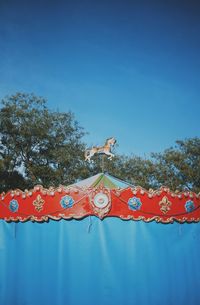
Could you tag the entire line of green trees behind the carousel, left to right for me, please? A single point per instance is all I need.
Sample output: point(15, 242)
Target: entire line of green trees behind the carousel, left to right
point(40, 146)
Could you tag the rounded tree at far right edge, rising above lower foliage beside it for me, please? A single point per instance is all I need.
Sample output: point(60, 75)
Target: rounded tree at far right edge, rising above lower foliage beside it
point(179, 167)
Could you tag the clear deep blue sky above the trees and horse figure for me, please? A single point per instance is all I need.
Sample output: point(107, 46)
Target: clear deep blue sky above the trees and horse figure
point(129, 69)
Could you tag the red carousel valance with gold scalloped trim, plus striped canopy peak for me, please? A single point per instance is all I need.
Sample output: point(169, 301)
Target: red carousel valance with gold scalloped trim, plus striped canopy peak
point(103, 196)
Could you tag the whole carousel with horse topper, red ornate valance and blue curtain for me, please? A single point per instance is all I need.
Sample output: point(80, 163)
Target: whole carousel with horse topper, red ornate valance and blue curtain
point(99, 241)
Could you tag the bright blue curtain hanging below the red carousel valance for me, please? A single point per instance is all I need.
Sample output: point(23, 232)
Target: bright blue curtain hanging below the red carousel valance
point(94, 262)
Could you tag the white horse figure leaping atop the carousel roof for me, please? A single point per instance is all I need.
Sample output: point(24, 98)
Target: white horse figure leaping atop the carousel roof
point(106, 149)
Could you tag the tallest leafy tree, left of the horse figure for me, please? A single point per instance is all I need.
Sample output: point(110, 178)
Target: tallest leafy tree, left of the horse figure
point(38, 145)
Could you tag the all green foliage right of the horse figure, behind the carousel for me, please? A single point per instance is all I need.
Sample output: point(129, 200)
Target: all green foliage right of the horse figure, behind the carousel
point(177, 168)
